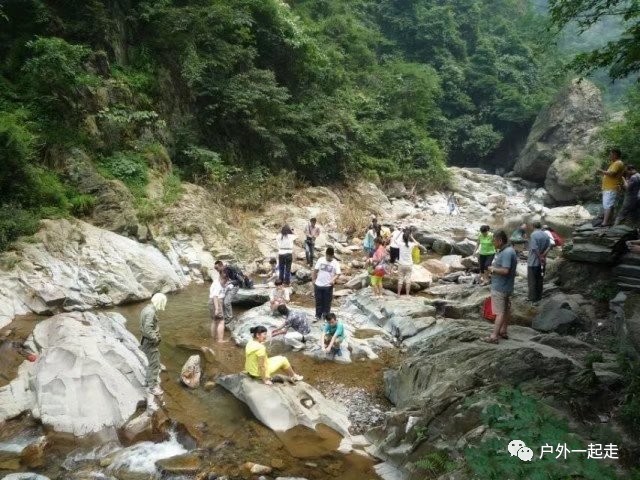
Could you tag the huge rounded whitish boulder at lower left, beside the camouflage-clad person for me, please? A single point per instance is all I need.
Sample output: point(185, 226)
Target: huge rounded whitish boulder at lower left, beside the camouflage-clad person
point(89, 376)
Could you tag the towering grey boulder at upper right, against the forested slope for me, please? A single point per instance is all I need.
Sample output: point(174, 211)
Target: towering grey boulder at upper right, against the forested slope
point(568, 123)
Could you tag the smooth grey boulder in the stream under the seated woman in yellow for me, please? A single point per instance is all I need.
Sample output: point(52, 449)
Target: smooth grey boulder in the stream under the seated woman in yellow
point(282, 407)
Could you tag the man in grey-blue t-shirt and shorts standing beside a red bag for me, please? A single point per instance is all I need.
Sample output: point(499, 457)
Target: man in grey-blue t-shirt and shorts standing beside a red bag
point(503, 274)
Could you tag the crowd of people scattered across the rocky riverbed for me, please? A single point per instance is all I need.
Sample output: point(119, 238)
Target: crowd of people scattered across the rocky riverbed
point(386, 253)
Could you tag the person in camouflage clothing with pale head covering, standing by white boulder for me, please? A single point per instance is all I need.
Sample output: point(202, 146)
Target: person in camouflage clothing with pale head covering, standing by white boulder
point(149, 345)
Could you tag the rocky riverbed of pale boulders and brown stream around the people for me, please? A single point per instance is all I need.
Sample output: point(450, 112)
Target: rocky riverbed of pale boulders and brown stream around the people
point(411, 364)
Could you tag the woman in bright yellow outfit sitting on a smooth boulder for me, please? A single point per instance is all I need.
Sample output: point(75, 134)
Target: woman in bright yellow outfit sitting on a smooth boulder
point(258, 365)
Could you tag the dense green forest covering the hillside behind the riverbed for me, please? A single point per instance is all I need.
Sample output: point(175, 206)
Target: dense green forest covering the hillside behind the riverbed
point(246, 94)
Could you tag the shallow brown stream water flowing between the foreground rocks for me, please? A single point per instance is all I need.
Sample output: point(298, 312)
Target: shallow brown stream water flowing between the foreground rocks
point(223, 426)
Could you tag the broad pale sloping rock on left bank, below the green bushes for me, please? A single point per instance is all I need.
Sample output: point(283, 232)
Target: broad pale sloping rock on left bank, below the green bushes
point(75, 266)
